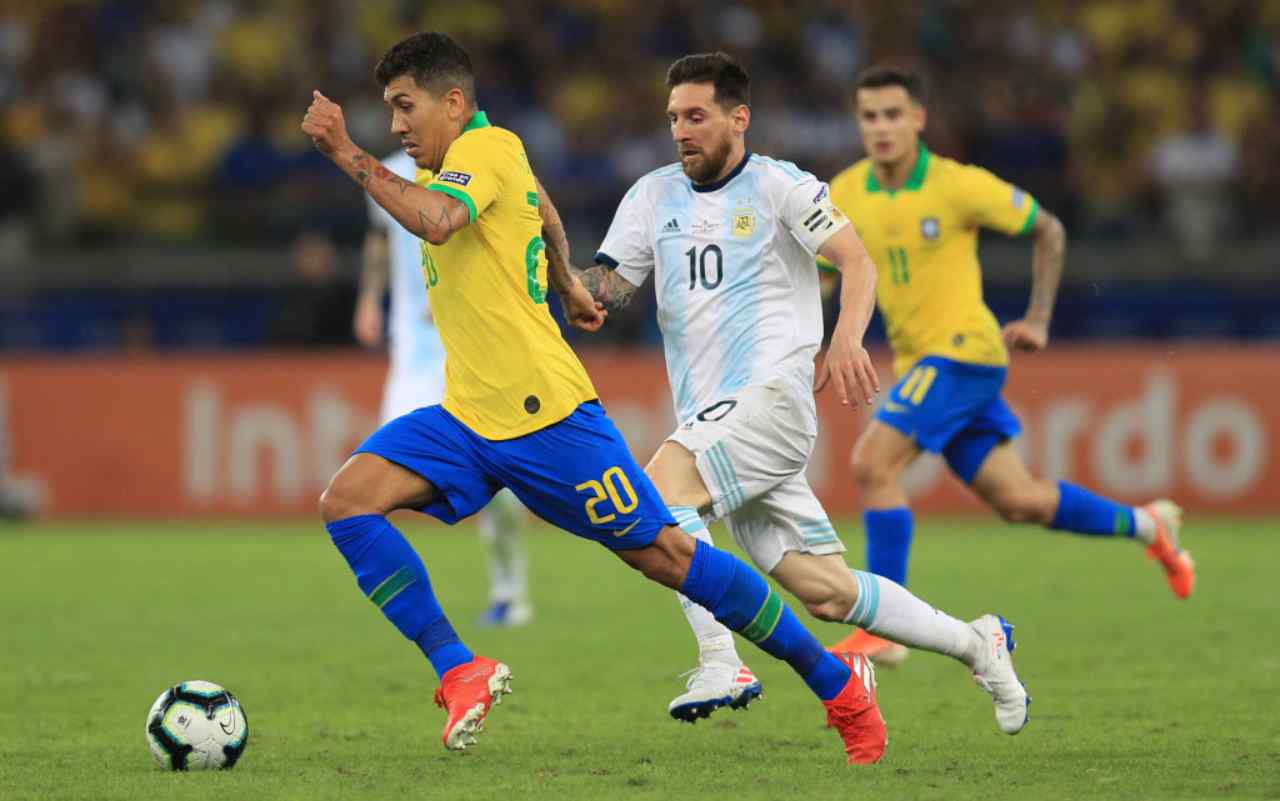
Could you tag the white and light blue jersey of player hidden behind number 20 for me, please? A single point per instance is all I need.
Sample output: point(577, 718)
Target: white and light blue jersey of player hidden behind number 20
point(415, 344)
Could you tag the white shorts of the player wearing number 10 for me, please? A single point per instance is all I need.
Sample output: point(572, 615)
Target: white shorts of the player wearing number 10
point(752, 450)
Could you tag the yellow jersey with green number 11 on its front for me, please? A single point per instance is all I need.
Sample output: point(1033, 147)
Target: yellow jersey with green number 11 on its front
point(925, 241)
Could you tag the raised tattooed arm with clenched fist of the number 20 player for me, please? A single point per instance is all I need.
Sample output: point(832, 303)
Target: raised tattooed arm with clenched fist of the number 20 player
point(431, 216)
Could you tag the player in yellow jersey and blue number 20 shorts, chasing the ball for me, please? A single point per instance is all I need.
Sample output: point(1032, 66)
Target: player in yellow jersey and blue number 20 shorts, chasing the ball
point(519, 410)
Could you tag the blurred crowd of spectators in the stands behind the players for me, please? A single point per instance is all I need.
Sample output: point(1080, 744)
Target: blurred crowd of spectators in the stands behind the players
point(158, 193)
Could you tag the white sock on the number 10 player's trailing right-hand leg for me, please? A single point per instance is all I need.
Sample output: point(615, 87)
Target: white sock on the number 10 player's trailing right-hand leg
point(886, 610)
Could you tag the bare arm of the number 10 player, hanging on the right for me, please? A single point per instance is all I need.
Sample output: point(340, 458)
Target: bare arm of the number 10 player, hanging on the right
point(848, 365)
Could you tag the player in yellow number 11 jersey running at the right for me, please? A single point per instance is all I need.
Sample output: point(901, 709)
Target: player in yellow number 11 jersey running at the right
point(920, 216)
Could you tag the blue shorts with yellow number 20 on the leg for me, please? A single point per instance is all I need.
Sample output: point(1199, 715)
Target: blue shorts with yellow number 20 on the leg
point(577, 474)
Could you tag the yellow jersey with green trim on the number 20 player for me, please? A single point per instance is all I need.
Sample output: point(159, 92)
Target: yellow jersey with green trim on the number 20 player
point(508, 369)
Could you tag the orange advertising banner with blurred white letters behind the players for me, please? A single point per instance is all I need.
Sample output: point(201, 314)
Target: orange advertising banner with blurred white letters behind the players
point(254, 436)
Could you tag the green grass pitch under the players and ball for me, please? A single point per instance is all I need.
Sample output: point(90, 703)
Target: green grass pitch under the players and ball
point(1136, 695)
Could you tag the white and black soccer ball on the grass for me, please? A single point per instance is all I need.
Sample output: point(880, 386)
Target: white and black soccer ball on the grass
point(196, 726)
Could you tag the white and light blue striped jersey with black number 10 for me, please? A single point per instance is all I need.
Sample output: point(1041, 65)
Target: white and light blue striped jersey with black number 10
point(734, 271)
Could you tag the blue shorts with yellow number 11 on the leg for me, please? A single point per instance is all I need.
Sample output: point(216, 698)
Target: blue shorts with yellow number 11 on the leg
point(953, 409)
